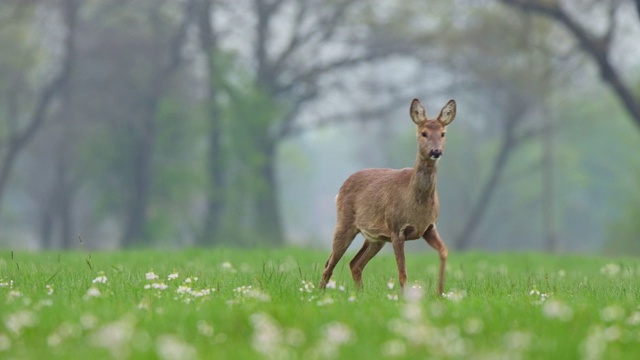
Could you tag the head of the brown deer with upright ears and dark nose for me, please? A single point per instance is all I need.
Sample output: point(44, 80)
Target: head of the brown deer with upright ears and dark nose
point(431, 132)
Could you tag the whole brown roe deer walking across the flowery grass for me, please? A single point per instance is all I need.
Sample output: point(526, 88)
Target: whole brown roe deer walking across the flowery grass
point(389, 205)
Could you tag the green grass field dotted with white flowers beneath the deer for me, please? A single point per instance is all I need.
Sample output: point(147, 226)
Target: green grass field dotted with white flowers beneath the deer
point(242, 304)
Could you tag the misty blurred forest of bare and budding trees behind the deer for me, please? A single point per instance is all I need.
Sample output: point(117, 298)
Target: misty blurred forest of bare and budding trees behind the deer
point(138, 123)
